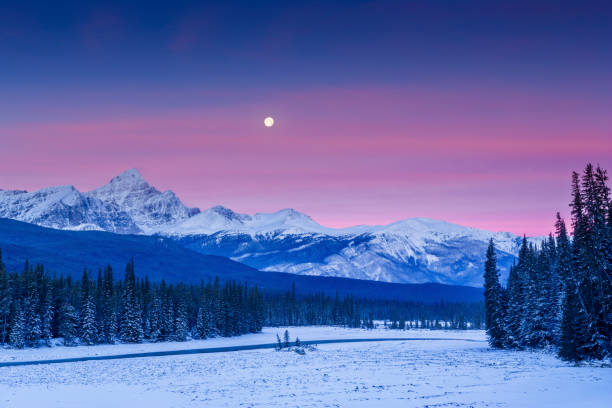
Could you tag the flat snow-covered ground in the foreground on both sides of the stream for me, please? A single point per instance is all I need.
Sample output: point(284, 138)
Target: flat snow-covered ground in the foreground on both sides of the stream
point(421, 373)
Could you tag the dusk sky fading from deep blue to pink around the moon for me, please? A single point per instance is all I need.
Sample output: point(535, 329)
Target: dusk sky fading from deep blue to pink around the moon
point(471, 112)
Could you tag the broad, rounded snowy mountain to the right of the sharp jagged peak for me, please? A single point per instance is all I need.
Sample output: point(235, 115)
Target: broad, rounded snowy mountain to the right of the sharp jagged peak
point(410, 251)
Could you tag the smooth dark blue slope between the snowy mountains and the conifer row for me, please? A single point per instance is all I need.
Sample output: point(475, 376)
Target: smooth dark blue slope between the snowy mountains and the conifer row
point(69, 252)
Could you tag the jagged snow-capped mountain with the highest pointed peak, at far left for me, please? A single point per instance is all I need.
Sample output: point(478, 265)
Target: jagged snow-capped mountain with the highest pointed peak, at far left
point(126, 205)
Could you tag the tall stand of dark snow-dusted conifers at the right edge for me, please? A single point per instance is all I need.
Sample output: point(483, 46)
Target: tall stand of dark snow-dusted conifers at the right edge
point(559, 294)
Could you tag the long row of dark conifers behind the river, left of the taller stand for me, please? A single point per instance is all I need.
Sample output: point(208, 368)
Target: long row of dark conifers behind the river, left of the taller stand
point(37, 306)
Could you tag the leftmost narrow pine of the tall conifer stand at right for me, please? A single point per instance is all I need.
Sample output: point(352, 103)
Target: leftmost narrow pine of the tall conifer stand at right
point(493, 300)
